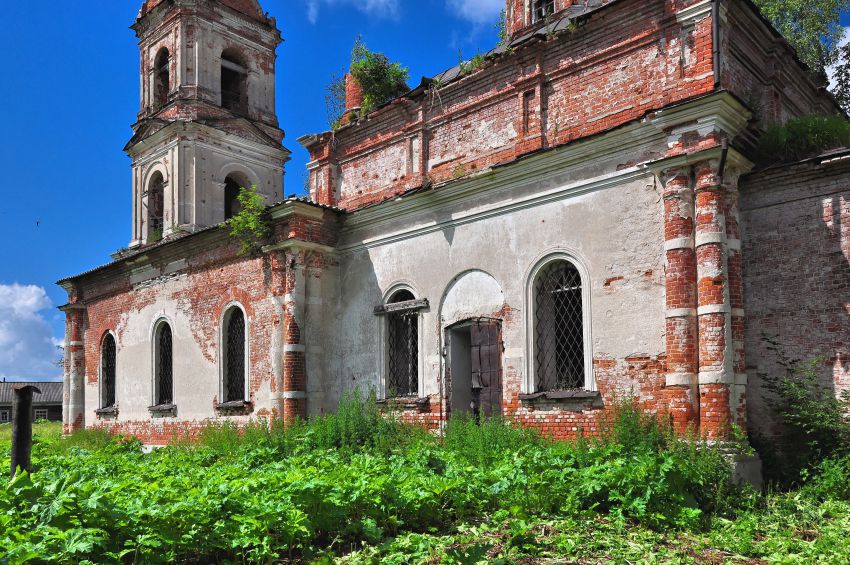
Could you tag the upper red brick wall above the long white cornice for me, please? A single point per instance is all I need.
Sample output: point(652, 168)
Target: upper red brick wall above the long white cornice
point(622, 62)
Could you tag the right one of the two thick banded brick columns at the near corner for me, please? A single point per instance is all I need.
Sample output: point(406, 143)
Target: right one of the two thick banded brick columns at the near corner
point(716, 371)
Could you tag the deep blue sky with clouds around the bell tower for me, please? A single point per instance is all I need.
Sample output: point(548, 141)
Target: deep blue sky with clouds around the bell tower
point(70, 90)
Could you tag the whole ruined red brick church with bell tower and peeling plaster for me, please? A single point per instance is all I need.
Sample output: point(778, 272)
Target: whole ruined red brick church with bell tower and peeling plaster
point(575, 220)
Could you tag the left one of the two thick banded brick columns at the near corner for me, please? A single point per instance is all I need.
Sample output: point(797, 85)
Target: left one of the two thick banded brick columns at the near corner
point(682, 394)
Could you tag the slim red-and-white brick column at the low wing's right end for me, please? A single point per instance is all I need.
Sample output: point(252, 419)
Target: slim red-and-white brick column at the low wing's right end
point(294, 350)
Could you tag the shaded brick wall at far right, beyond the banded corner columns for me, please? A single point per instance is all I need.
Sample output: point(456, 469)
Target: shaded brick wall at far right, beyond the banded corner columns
point(796, 249)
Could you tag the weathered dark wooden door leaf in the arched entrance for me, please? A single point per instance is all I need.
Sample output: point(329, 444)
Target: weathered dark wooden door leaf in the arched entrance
point(486, 338)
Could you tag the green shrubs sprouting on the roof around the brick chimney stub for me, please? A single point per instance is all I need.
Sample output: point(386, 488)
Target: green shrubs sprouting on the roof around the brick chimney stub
point(380, 79)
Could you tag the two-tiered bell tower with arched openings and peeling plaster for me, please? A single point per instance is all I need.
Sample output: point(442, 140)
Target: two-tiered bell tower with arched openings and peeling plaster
point(207, 125)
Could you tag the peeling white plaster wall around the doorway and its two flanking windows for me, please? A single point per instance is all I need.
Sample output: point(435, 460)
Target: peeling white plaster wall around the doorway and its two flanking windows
point(615, 232)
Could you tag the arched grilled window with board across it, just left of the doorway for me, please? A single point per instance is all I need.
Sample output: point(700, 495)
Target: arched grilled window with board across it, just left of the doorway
point(403, 348)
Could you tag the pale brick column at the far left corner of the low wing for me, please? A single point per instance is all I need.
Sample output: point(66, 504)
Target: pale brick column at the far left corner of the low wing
point(74, 395)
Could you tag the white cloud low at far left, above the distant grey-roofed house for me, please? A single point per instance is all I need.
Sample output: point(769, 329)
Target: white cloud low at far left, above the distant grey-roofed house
point(27, 345)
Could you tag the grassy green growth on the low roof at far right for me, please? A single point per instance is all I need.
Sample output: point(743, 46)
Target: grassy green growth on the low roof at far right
point(800, 138)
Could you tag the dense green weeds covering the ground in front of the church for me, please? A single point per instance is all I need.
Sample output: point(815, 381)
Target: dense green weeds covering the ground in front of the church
point(355, 487)
